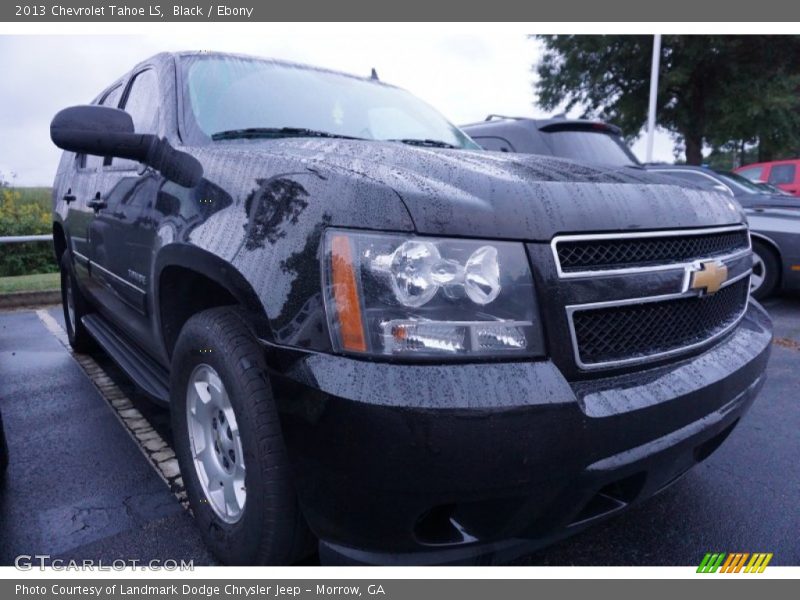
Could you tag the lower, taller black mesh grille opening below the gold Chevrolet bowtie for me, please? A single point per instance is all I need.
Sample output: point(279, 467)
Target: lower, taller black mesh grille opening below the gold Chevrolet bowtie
point(639, 331)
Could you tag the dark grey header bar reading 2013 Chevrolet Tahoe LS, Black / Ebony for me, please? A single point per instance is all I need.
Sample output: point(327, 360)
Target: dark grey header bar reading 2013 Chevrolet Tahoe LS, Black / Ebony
point(708, 11)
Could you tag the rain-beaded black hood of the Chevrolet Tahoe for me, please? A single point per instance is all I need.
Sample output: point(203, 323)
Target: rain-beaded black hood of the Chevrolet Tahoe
point(512, 196)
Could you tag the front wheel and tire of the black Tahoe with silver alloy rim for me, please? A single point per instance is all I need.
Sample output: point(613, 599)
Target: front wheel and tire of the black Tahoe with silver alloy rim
point(261, 522)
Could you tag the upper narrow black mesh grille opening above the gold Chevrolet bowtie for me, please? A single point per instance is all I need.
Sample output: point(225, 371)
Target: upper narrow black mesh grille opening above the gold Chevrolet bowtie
point(601, 253)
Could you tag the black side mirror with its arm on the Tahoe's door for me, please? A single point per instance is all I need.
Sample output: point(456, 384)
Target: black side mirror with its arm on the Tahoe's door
point(105, 131)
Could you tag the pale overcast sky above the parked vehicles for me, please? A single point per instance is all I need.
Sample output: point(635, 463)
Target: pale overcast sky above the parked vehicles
point(464, 73)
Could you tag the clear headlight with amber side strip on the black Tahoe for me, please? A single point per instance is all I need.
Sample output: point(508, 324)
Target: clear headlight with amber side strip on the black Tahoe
point(417, 296)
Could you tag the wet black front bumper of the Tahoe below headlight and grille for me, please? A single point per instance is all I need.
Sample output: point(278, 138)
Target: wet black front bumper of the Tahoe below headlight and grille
point(439, 464)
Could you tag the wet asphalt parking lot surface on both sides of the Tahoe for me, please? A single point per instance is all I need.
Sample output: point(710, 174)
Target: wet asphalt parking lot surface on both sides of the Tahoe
point(81, 486)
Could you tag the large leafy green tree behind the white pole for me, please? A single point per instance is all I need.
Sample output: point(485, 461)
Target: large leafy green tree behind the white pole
point(714, 90)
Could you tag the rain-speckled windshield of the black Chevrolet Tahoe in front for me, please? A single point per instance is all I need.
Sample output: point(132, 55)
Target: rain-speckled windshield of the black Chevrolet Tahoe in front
point(226, 94)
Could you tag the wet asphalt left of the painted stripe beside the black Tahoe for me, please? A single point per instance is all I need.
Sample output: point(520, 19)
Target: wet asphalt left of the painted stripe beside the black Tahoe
point(78, 486)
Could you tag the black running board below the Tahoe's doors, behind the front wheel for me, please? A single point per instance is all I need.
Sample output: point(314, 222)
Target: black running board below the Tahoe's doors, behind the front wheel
point(152, 378)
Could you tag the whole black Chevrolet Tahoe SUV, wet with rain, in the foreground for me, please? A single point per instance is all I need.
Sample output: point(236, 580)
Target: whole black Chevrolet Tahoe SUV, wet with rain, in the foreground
point(379, 340)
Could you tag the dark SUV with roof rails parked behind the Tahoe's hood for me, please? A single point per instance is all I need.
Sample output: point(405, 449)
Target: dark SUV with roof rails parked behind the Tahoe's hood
point(576, 139)
